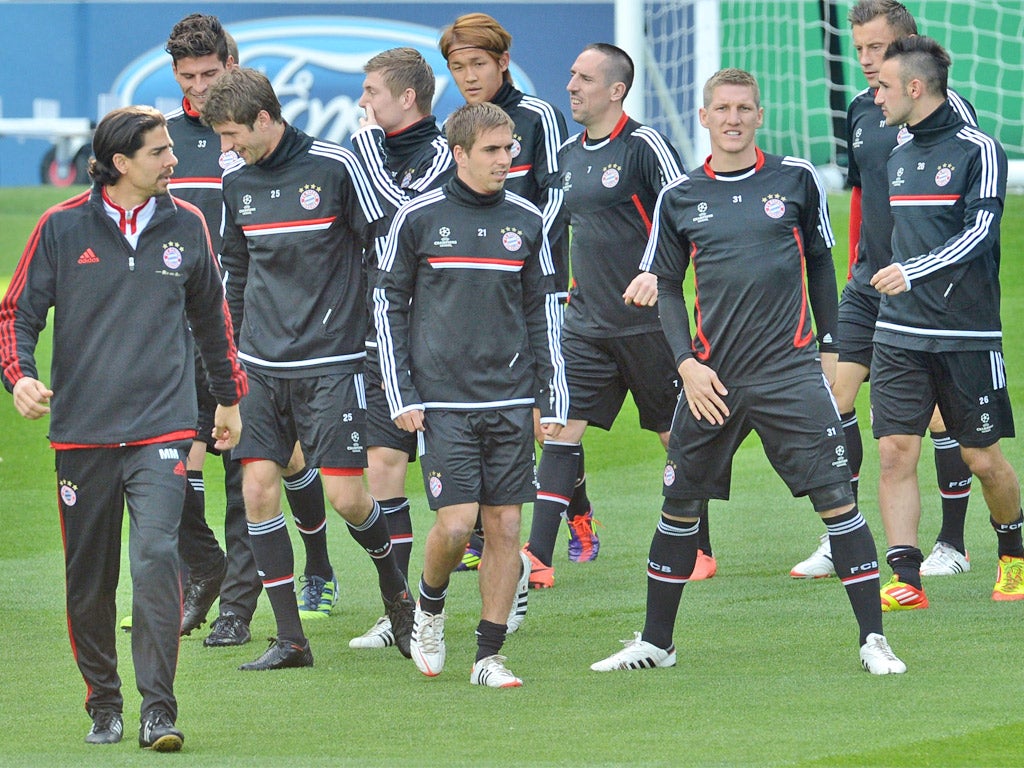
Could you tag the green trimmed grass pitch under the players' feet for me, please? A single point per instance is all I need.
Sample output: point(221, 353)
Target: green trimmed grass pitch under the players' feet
point(769, 672)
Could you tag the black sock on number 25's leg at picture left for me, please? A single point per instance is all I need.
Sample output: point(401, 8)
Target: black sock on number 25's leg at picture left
point(275, 559)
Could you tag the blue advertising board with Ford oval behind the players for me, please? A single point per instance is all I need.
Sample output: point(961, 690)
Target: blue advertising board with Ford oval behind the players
point(86, 58)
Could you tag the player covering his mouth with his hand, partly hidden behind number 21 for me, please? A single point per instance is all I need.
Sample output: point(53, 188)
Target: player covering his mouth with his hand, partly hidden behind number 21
point(405, 155)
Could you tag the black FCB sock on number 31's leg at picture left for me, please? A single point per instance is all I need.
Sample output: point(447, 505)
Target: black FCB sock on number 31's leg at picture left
point(673, 556)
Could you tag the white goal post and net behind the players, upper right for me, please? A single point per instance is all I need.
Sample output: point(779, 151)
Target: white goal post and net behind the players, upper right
point(803, 58)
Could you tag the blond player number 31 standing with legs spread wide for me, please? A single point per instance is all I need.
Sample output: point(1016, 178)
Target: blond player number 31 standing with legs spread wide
point(752, 227)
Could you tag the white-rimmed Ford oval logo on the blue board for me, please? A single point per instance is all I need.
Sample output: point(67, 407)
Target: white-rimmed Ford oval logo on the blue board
point(315, 65)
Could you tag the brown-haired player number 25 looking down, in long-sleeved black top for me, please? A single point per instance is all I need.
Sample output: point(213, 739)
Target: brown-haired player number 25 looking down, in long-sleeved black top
point(300, 214)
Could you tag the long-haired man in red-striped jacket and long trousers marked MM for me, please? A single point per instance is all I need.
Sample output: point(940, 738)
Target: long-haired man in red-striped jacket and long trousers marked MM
point(123, 265)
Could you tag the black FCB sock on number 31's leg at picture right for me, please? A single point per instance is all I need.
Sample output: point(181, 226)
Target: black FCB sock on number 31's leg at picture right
point(857, 564)
